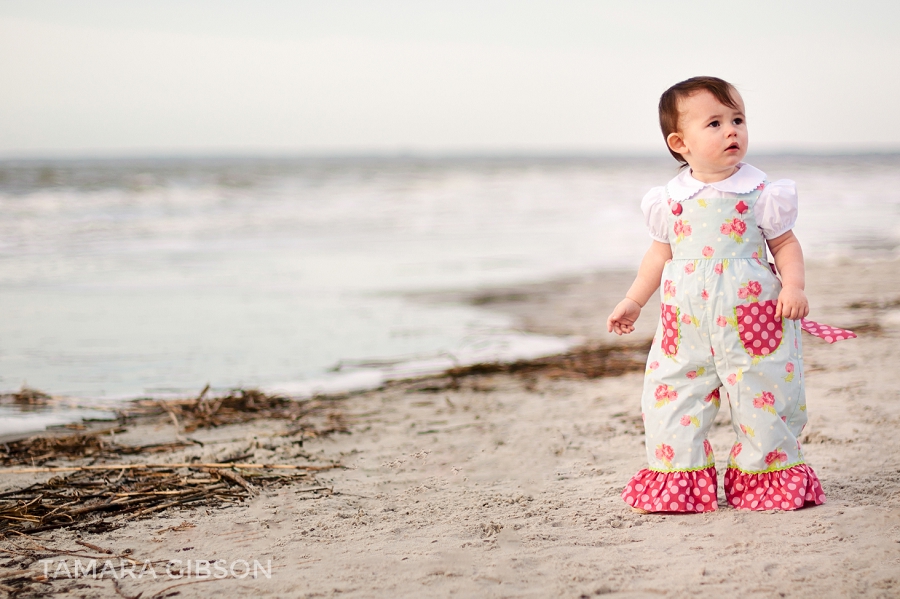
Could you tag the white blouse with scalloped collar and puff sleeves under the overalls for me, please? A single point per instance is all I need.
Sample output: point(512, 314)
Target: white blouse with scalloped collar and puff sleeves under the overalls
point(775, 210)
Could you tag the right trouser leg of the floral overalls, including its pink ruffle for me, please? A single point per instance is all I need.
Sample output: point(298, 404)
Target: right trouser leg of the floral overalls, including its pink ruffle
point(766, 469)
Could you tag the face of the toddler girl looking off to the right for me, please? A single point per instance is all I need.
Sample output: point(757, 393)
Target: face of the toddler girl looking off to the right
point(712, 137)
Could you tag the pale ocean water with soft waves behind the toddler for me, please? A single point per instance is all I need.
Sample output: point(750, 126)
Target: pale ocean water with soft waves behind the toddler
point(126, 278)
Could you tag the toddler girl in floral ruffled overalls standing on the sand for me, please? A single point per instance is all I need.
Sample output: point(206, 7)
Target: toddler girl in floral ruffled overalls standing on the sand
point(727, 323)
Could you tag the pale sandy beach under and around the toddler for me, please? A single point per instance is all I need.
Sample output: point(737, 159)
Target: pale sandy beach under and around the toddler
point(507, 484)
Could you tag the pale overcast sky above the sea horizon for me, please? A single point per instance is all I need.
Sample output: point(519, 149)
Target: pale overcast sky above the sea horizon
point(83, 77)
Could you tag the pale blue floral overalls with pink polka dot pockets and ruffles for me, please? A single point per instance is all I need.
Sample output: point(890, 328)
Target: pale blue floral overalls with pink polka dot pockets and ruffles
point(718, 339)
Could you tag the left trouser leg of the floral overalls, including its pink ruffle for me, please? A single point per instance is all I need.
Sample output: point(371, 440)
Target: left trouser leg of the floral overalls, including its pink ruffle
point(679, 404)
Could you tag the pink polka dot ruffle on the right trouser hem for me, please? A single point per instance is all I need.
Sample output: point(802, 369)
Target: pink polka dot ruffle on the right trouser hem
point(788, 489)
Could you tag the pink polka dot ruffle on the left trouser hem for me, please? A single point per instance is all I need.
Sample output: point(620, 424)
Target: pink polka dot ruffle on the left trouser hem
point(693, 491)
